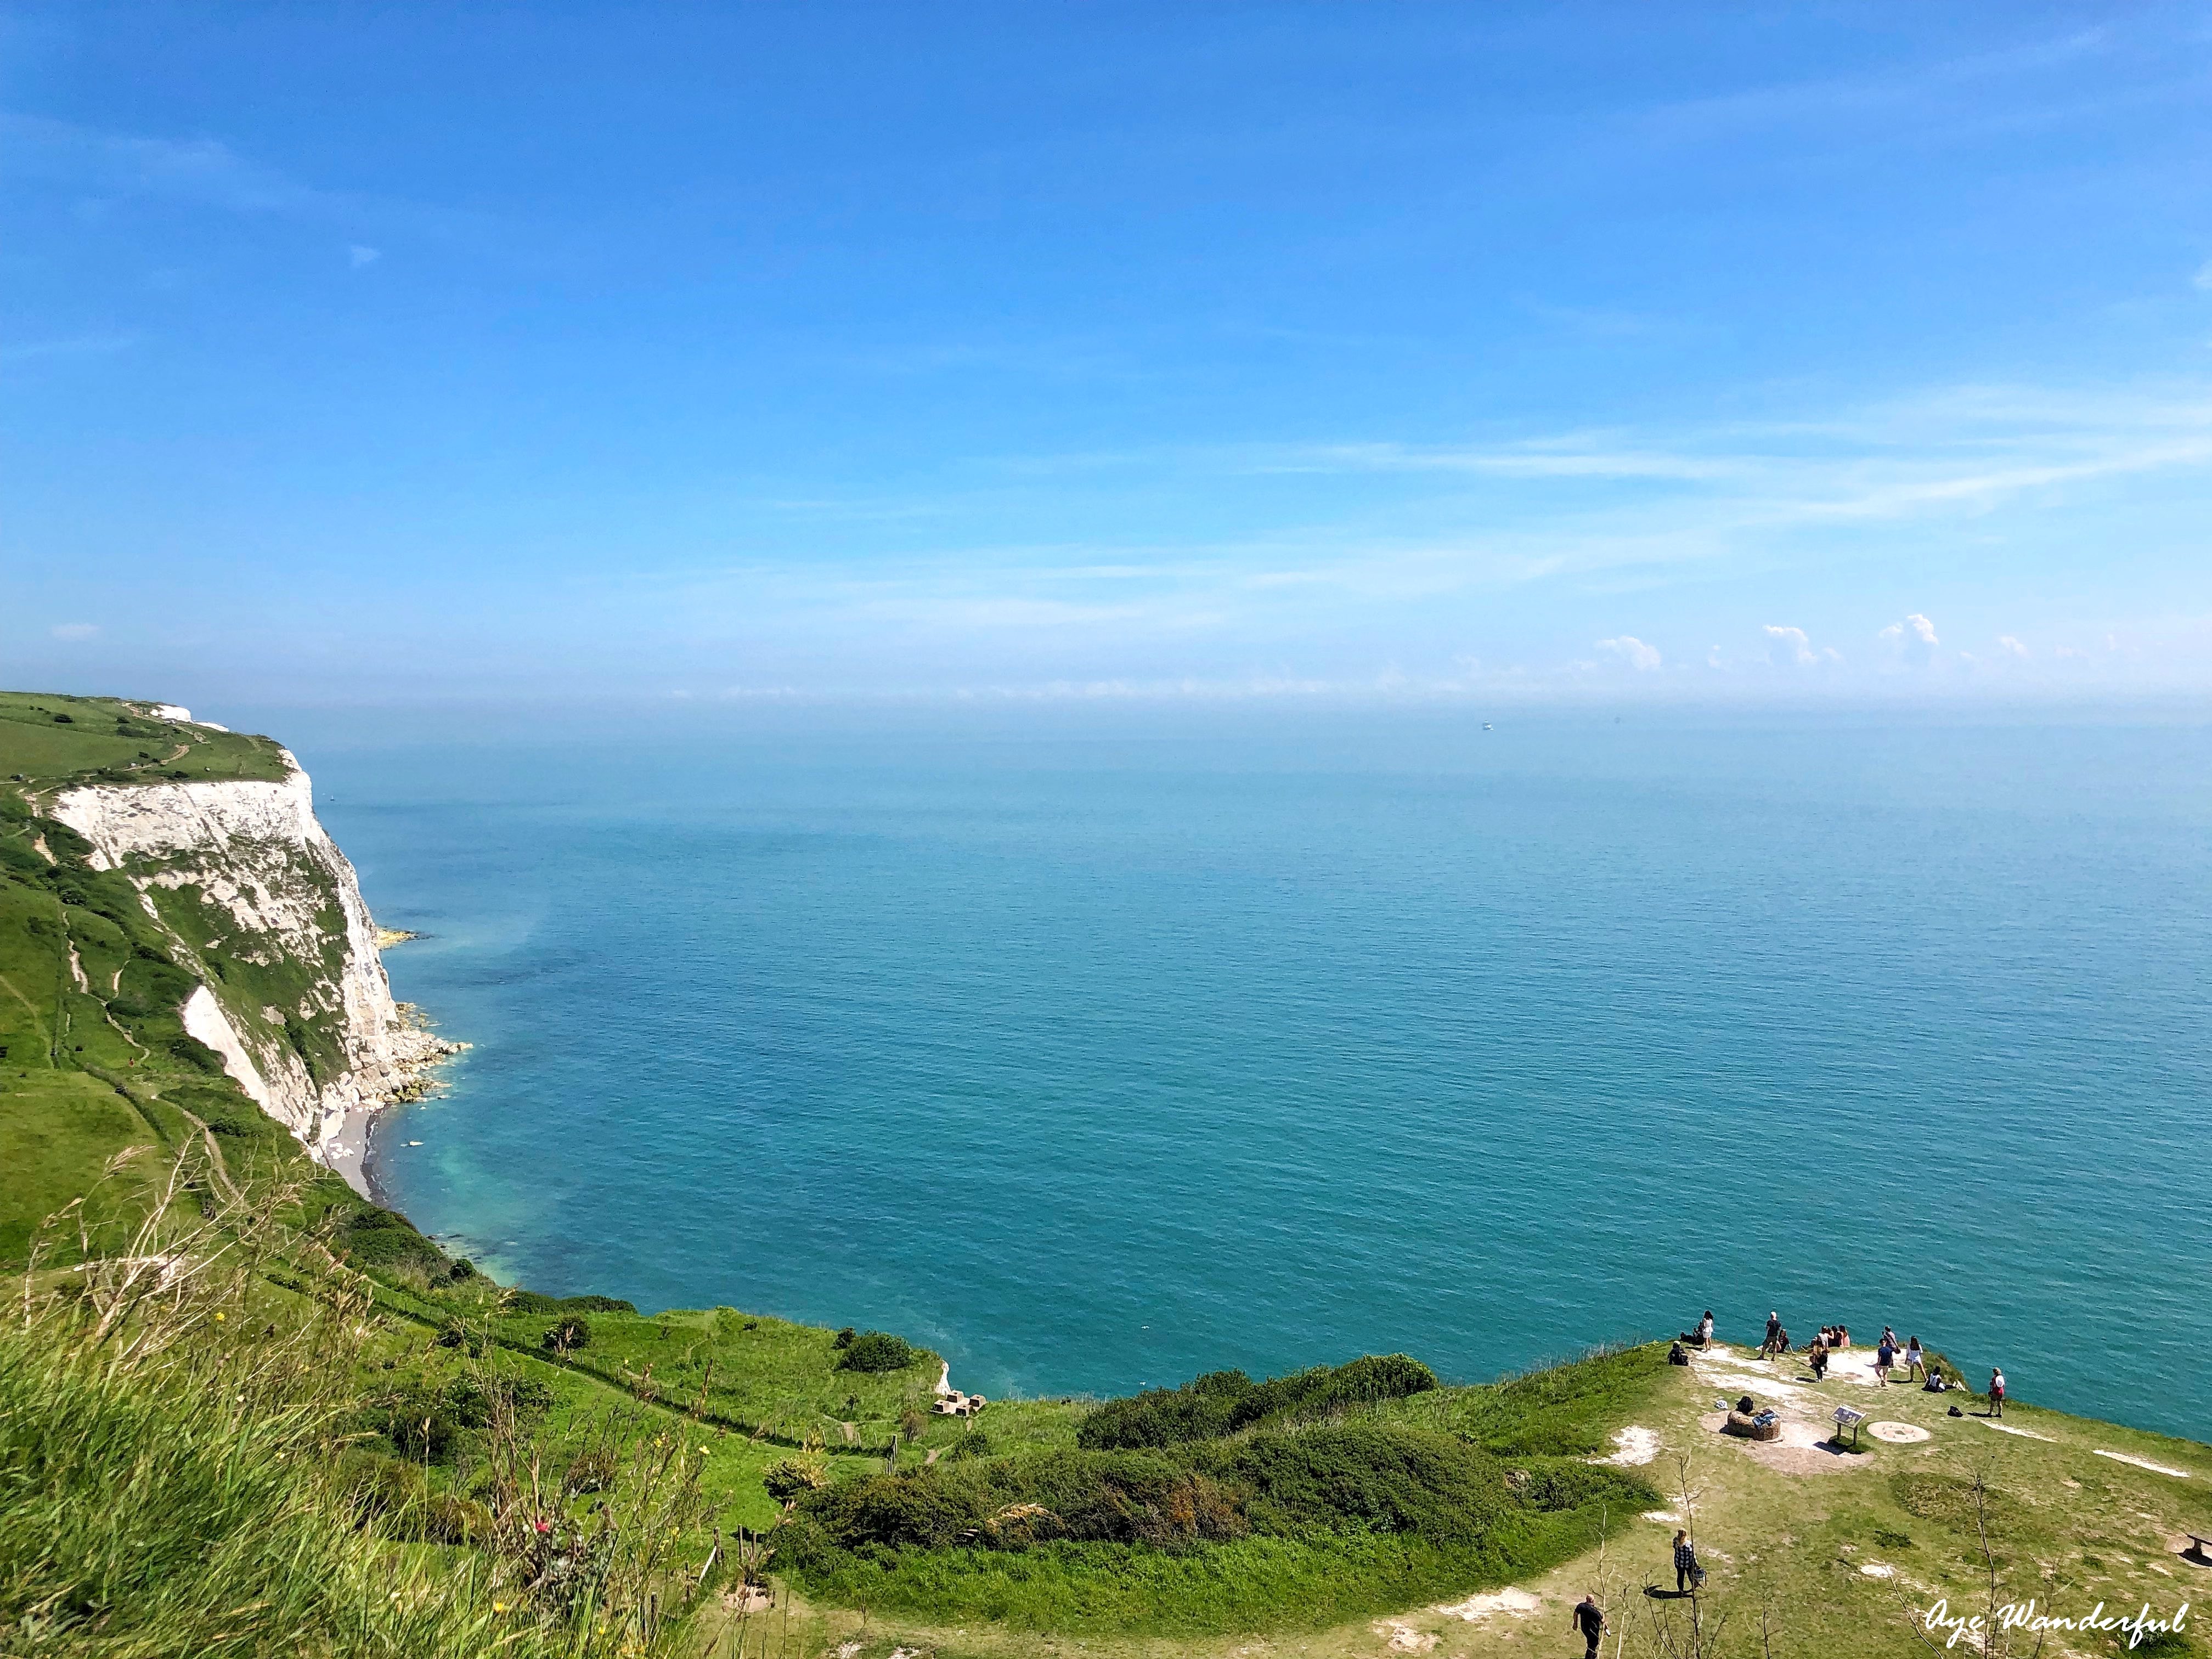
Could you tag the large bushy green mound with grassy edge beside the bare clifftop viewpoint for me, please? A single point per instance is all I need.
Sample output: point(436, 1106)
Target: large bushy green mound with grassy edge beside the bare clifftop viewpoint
point(1220, 1534)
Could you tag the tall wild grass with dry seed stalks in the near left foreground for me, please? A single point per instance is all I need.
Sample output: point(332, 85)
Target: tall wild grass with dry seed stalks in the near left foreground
point(174, 1474)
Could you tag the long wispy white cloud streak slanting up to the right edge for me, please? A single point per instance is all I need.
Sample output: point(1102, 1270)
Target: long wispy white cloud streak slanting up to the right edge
point(1576, 514)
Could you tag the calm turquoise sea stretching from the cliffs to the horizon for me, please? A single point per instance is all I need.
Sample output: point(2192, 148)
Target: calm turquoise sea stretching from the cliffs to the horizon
point(1103, 1056)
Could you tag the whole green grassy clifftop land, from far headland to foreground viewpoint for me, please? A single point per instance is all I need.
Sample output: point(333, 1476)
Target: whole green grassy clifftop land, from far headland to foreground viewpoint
point(244, 1412)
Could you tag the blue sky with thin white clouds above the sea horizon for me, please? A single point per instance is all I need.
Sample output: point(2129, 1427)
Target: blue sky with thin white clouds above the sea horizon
point(1107, 353)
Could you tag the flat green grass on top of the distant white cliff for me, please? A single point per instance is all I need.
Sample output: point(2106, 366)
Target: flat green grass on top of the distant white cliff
point(52, 740)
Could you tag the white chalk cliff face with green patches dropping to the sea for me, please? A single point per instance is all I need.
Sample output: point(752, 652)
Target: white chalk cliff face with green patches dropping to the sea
point(267, 908)
